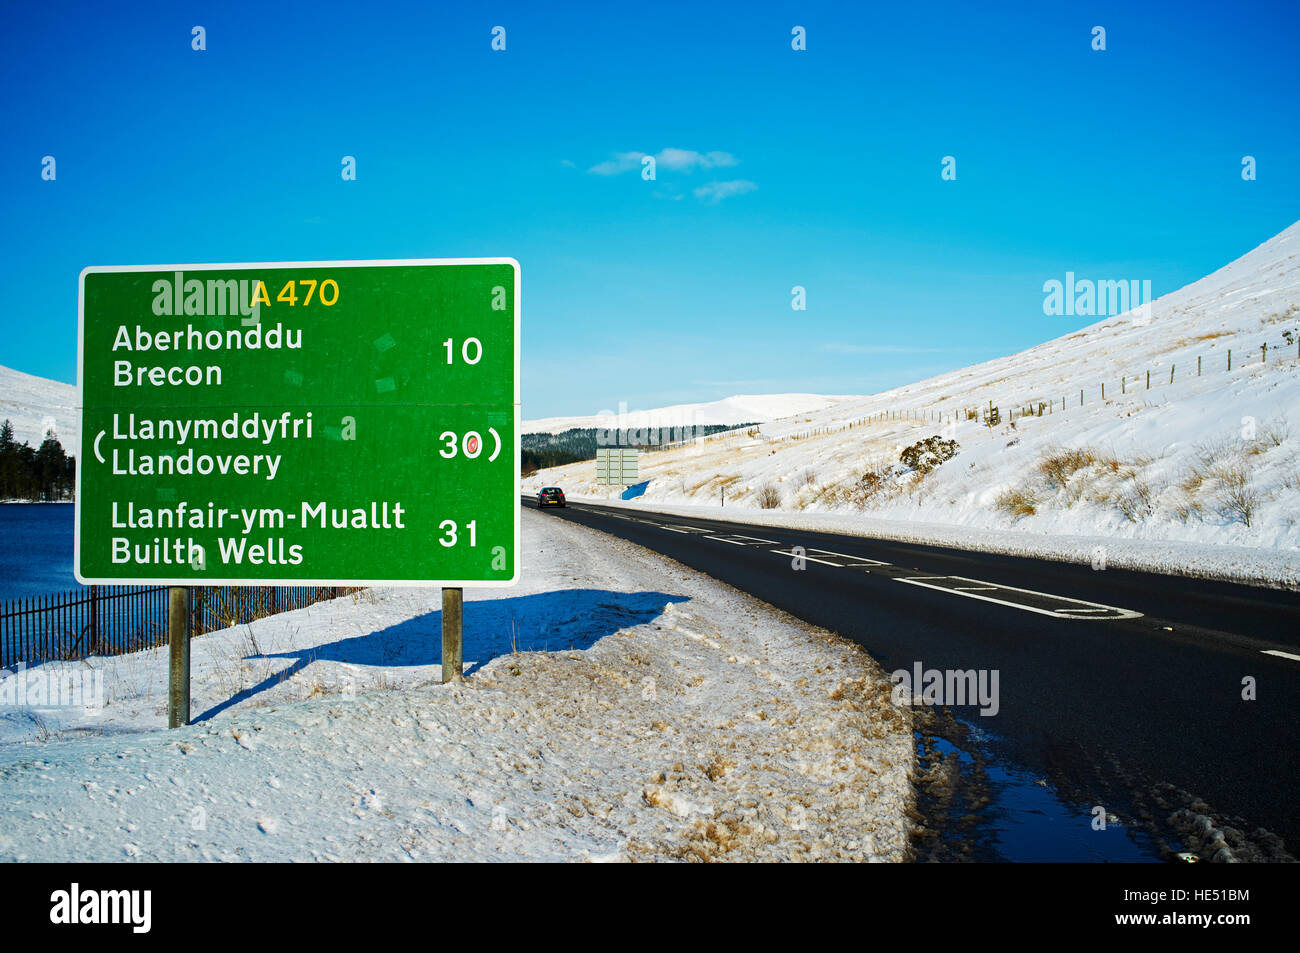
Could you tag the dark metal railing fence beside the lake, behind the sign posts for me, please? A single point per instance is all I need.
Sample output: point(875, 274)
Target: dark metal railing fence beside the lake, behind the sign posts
point(115, 620)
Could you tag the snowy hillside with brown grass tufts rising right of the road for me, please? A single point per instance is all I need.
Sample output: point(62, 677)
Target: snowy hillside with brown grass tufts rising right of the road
point(1210, 457)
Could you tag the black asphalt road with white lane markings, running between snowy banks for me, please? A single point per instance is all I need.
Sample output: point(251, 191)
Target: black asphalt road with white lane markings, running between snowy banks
point(1120, 688)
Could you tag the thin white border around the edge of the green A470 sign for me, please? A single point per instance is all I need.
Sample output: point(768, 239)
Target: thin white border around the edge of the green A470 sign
point(237, 266)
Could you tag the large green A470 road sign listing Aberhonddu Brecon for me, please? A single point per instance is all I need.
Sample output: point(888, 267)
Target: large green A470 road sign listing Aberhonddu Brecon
point(293, 423)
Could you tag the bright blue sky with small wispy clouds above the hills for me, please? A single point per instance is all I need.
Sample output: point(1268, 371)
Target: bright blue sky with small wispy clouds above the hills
point(825, 170)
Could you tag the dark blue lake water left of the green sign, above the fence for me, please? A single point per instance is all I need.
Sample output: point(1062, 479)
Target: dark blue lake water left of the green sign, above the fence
point(36, 549)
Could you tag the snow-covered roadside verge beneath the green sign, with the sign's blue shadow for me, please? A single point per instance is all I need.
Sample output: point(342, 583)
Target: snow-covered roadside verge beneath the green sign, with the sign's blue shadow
point(651, 713)
